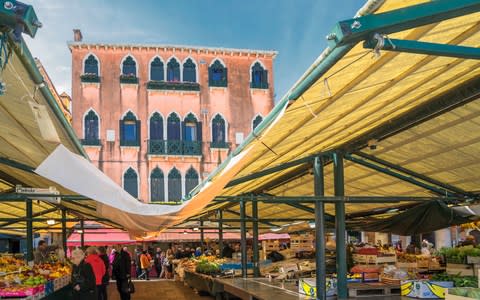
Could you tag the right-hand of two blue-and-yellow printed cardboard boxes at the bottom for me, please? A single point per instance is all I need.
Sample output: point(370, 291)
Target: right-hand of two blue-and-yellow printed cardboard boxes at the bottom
point(425, 288)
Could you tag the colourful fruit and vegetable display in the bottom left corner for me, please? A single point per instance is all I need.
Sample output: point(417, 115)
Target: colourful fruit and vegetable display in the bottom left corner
point(19, 280)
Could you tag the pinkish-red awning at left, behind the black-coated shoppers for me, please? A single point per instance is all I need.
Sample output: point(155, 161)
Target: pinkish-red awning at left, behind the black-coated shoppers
point(100, 237)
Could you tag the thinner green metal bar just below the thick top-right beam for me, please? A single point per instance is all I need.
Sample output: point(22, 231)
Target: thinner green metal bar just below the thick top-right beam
point(417, 47)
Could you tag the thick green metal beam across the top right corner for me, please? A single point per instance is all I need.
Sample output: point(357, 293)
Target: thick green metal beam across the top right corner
point(358, 29)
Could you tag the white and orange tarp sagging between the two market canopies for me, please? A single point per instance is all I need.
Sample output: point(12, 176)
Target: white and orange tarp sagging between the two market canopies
point(81, 176)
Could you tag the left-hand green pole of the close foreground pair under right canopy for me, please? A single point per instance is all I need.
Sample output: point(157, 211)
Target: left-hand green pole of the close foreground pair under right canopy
point(319, 188)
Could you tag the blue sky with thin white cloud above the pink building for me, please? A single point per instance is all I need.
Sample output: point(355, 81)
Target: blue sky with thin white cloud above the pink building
point(294, 28)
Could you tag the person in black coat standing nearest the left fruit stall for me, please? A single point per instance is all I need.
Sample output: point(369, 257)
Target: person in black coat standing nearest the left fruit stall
point(83, 278)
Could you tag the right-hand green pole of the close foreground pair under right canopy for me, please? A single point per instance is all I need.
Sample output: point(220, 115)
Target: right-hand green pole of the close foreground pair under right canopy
point(339, 189)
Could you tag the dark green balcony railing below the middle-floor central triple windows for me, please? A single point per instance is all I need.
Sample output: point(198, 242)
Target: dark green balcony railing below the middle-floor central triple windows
point(174, 147)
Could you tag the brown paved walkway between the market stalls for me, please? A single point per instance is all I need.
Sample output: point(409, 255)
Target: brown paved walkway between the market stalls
point(158, 289)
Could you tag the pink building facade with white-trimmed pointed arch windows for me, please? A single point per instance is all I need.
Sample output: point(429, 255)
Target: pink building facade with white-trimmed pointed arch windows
point(158, 119)
